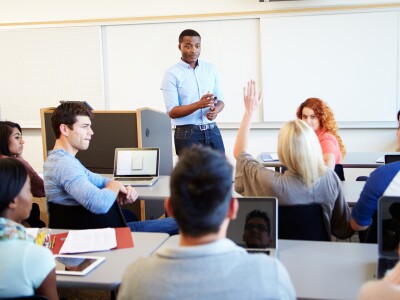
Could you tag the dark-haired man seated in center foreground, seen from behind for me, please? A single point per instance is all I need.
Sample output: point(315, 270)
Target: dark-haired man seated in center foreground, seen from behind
point(205, 265)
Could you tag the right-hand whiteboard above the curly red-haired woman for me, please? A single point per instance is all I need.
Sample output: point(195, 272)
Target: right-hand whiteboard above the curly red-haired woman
point(348, 60)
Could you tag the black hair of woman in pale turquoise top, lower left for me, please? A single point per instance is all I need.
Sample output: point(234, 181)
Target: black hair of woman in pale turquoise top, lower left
point(13, 176)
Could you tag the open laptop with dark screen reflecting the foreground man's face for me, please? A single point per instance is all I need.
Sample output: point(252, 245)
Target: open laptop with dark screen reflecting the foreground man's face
point(254, 235)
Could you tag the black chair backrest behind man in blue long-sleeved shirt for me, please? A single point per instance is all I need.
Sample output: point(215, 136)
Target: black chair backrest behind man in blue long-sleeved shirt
point(78, 217)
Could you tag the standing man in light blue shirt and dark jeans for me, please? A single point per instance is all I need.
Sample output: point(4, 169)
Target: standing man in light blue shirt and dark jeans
point(193, 97)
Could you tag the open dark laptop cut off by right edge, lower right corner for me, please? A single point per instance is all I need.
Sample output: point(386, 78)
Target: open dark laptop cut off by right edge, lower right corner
point(388, 233)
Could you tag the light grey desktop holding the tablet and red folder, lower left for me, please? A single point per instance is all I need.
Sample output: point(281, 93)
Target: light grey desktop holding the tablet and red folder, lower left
point(108, 275)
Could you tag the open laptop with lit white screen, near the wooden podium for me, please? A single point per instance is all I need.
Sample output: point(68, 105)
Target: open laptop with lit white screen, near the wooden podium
point(137, 166)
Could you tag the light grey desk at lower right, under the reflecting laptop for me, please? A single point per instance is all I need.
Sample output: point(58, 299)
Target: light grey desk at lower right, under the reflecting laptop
point(324, 270)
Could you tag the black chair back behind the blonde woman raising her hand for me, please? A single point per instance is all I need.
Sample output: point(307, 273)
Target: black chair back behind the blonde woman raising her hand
point(302, 222)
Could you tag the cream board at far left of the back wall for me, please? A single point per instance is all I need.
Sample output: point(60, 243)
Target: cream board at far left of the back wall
point(41, 66)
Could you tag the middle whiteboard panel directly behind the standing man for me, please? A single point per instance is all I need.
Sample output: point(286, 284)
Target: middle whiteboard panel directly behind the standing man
point(137, 56)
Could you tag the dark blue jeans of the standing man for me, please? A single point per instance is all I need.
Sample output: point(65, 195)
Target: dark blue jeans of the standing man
point(188, 135)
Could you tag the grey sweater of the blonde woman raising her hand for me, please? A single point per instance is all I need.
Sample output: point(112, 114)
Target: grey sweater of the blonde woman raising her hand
point(253, 179)
